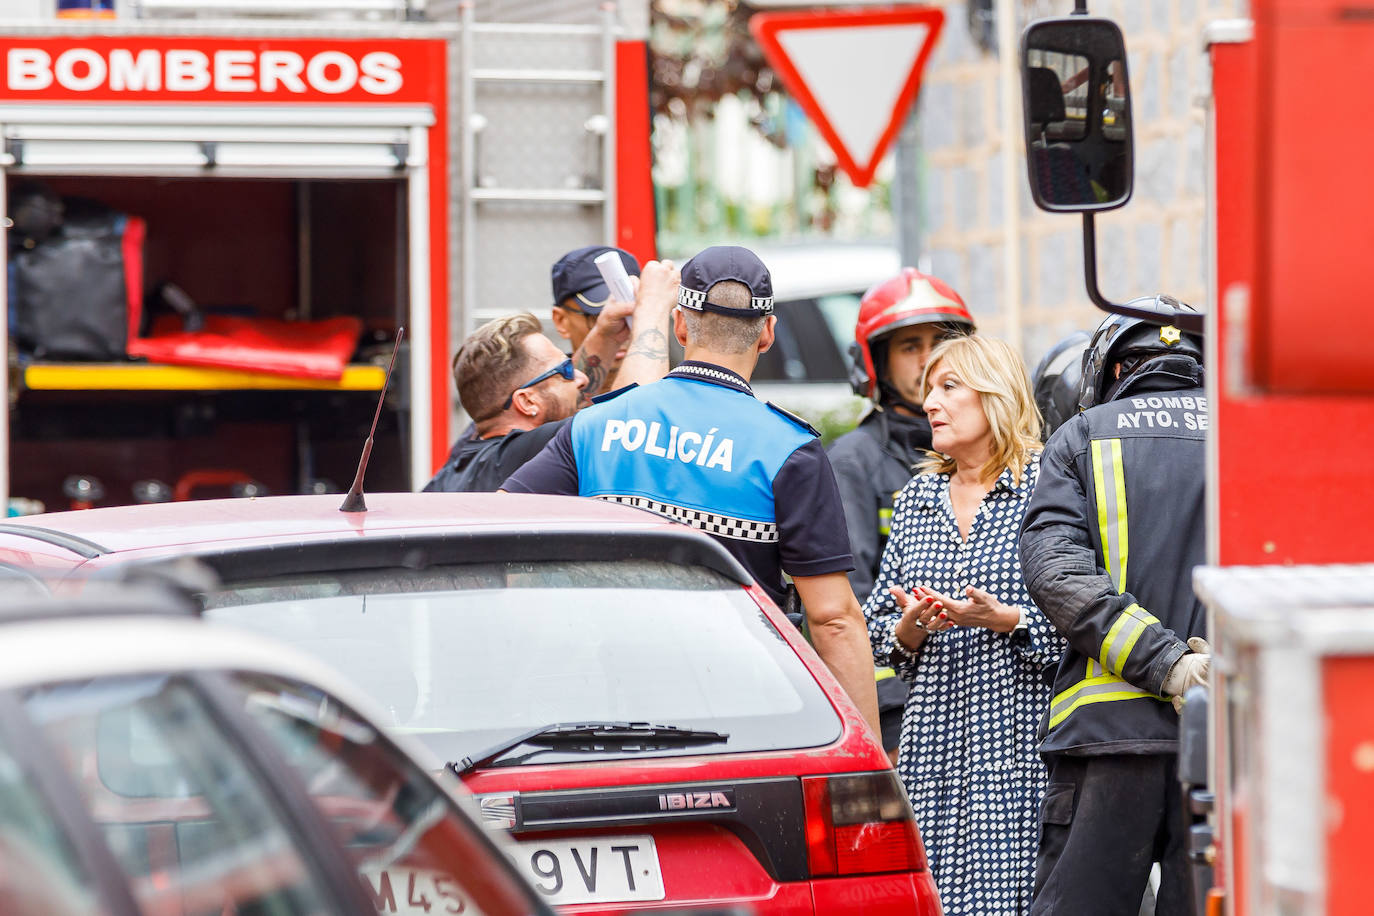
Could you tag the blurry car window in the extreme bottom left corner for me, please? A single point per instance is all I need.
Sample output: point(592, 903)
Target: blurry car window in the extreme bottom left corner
point(41, 874)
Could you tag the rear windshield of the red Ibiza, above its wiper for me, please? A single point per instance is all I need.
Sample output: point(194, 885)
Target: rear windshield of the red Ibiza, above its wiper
point(466, 657)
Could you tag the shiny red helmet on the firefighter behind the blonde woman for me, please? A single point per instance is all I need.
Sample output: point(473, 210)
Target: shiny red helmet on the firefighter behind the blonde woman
point(909, 299)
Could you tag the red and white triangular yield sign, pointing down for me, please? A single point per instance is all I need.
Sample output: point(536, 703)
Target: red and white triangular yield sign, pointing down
point(854, 72)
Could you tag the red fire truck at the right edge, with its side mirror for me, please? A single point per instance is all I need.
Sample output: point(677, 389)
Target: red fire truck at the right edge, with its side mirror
point(1287, 818)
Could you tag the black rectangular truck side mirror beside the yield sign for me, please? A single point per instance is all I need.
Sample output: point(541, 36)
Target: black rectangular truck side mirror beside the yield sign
point(1078, 115)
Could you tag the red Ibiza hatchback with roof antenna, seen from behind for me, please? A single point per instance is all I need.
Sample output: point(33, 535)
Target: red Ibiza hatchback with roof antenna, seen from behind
point(613, 686)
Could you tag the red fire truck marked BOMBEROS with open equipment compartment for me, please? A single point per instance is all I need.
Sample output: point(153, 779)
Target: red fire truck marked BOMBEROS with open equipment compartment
point(384, 164)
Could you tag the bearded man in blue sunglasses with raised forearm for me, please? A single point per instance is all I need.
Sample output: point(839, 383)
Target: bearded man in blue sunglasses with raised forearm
point(520, 388)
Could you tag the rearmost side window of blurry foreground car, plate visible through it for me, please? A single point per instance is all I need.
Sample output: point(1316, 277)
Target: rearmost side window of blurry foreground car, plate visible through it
point(414, 851)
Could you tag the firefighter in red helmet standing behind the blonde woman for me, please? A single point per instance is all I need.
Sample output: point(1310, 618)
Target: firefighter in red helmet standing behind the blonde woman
point(901, 321)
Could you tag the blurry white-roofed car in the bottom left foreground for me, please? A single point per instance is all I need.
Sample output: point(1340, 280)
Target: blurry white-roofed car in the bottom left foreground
point(152, 764)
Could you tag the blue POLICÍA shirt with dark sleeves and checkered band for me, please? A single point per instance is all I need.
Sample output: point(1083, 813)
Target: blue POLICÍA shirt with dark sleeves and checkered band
point(699, 448)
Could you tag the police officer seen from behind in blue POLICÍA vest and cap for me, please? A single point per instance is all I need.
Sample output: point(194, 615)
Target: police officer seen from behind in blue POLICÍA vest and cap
point(699, 447)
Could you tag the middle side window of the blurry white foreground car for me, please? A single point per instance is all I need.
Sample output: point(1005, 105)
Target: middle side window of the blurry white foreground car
point(188, 821)
